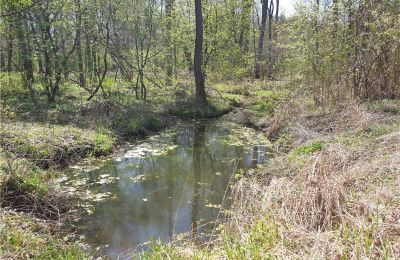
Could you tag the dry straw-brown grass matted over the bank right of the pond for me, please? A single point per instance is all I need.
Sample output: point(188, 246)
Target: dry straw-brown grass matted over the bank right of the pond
point(341, 203)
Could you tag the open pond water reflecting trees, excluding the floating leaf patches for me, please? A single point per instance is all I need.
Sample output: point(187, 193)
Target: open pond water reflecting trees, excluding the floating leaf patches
point(187, 173)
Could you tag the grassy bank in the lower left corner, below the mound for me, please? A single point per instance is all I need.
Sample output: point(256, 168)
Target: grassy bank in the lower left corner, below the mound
point(34, 213)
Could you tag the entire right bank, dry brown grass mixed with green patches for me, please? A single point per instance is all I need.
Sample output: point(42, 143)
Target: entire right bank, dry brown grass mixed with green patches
point(331, 191)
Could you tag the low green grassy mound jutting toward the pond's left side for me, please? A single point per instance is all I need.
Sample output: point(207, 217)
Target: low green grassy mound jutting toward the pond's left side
point(56, 145)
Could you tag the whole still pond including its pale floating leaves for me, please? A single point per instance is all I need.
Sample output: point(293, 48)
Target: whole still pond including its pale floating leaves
point(174, 182)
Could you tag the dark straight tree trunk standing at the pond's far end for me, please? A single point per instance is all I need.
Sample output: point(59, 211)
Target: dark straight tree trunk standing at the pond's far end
point(201, 98)
